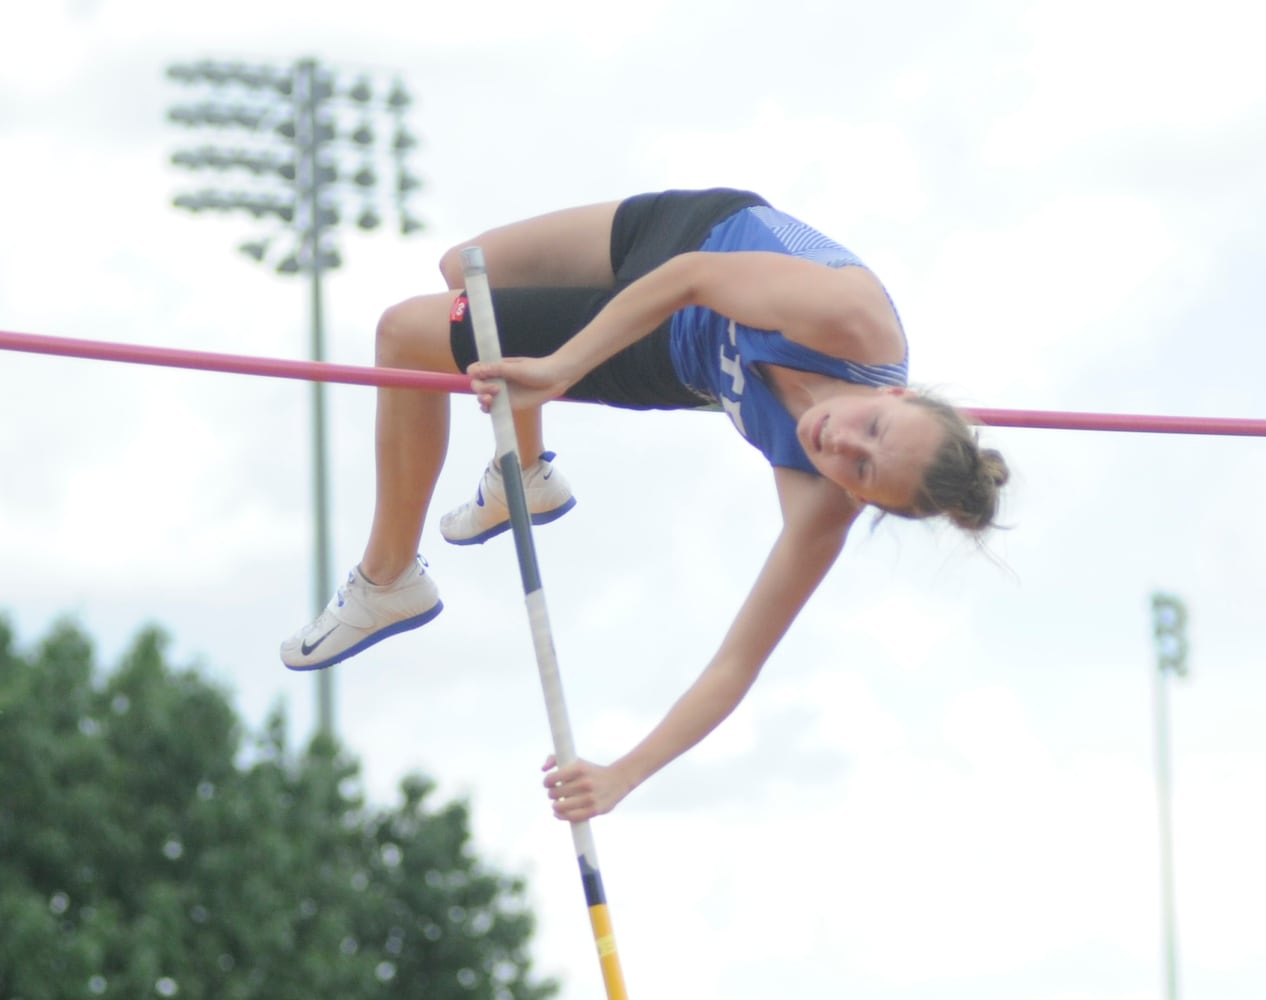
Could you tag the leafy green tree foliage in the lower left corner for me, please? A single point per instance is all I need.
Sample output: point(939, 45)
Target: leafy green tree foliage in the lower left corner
point(149, 849)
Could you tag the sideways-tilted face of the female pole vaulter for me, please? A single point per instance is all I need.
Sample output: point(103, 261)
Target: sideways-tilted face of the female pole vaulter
point(874, 445)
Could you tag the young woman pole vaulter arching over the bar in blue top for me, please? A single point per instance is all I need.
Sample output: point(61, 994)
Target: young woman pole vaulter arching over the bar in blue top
point(670, 301)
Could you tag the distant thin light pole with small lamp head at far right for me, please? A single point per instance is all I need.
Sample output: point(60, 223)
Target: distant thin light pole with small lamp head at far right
point(1169, 627)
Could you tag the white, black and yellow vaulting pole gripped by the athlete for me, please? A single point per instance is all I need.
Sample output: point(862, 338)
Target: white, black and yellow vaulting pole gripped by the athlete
point(489, 347)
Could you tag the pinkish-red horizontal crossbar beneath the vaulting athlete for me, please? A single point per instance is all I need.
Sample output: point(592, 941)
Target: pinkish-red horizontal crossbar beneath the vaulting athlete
point(321, 372)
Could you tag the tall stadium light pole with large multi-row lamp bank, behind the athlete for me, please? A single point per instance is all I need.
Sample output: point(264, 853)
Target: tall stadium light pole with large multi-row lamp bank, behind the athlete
point(306, 140)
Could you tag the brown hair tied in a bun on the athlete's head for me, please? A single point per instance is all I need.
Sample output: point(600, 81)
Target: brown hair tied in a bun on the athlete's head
point(963, 480)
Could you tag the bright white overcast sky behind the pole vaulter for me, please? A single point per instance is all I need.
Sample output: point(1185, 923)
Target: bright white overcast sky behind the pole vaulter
point(944, 783)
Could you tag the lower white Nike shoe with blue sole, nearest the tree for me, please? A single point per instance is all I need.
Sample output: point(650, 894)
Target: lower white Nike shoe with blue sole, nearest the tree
point(361, 615)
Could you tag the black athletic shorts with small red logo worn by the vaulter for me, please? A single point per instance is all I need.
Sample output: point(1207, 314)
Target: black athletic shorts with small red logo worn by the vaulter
point(648, 231)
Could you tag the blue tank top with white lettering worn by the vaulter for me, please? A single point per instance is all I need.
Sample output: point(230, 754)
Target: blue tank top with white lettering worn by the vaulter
point(716, 356)
